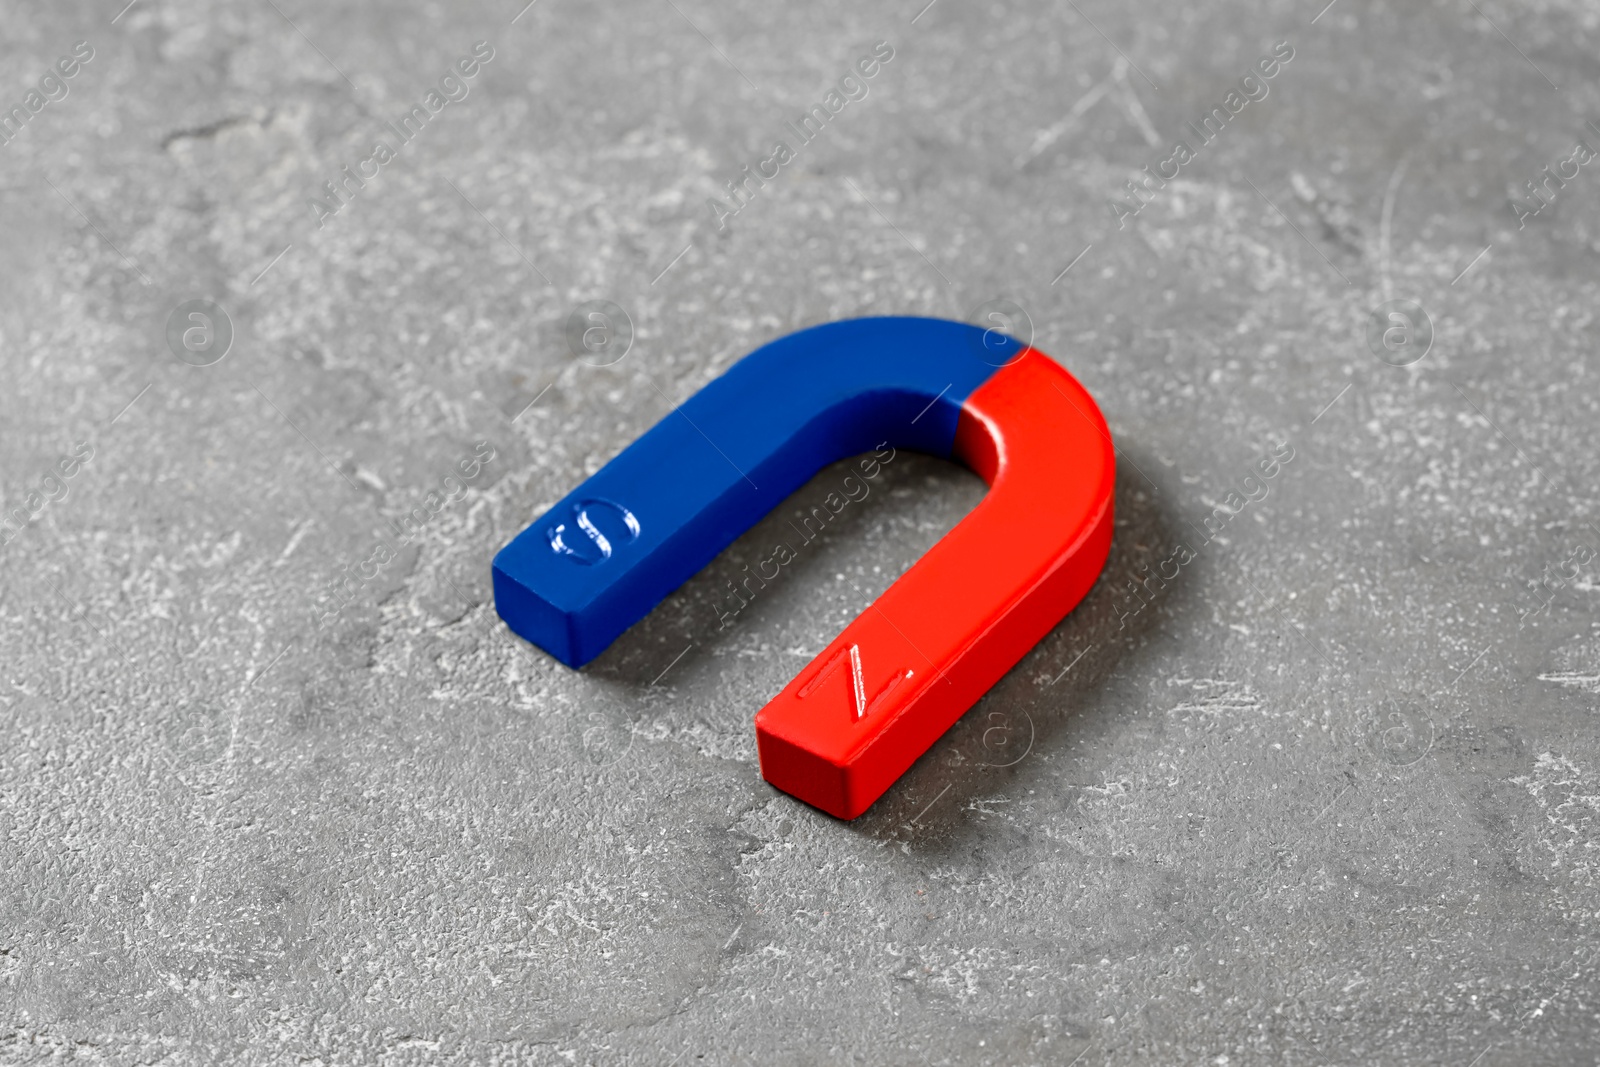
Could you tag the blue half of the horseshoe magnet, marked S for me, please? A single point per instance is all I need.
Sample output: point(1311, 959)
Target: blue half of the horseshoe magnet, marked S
point(665, 508)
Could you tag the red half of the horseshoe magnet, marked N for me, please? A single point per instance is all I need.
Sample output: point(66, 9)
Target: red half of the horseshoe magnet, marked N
point(969, 610)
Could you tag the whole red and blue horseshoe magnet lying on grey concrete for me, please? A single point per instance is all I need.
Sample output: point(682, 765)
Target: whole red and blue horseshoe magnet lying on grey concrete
point(967, 612)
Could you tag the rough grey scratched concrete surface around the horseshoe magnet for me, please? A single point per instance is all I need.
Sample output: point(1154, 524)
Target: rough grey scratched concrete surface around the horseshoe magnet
point(1330, 799)
